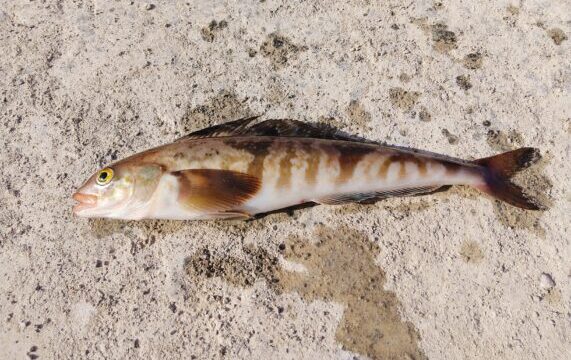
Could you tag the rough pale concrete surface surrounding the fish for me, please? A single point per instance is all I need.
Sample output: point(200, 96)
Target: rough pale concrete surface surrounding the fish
point(453, 275)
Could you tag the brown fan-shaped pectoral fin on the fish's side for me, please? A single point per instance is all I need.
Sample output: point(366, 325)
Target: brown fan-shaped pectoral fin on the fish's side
point(216, 191)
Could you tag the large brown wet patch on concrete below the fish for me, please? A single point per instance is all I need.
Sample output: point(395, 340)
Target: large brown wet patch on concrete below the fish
point(341, 268)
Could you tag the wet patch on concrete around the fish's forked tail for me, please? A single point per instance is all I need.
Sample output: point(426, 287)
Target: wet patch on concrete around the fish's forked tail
point(532, 180)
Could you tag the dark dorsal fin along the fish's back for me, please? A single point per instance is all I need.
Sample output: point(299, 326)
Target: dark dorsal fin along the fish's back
point(274, 127)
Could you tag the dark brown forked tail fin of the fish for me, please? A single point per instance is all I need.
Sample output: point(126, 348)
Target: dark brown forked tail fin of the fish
point(500, 168)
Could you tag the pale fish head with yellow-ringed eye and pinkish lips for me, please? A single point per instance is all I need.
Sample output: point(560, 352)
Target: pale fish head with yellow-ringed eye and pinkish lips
point(120, 191)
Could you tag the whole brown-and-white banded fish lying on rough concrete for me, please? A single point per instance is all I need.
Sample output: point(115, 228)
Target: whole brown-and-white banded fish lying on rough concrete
point(245, 168)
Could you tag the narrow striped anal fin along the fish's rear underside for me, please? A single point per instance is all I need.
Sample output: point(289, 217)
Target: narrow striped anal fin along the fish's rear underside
point(371, 197)
